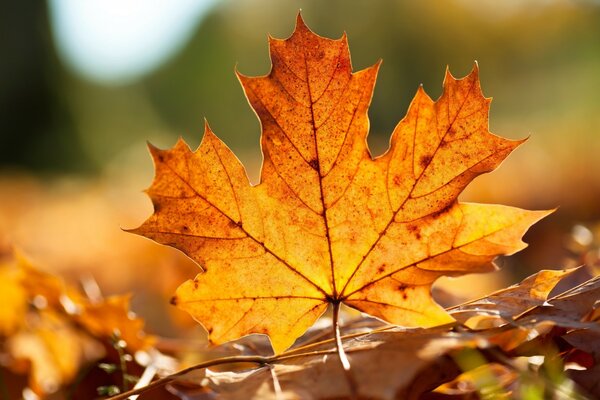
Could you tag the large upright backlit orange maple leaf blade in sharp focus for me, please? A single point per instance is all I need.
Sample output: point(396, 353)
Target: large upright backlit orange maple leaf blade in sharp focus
point(328, 223)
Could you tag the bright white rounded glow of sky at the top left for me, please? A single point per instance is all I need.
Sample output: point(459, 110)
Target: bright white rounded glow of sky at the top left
point(118, 41)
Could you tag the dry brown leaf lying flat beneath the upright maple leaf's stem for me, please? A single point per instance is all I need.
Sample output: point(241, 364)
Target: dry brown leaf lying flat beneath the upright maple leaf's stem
point(390, 365)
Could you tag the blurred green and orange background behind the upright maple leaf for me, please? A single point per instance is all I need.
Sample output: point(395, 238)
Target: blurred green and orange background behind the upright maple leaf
point(84, 84)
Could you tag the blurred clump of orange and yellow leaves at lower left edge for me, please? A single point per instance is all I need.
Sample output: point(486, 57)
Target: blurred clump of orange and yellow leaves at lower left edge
point(52, 331)
